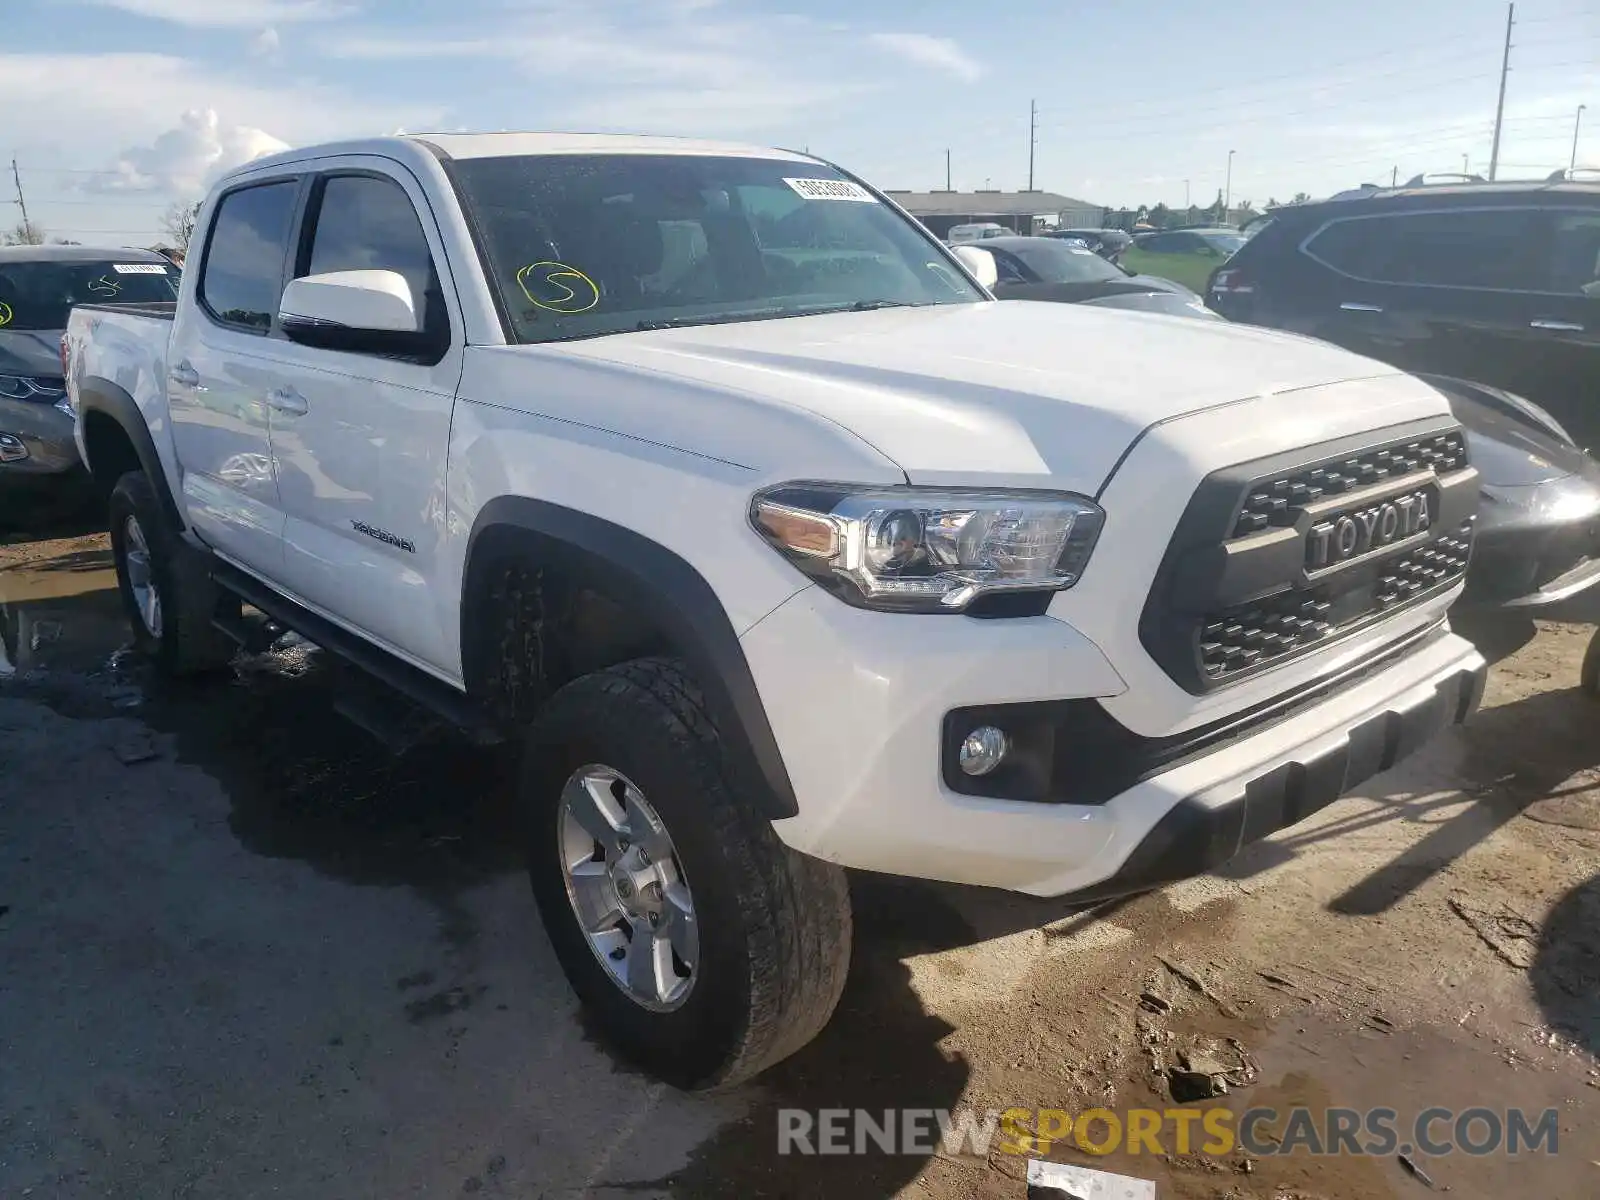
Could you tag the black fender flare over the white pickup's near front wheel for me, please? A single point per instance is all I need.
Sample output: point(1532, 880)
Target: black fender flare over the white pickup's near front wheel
point(682, 602)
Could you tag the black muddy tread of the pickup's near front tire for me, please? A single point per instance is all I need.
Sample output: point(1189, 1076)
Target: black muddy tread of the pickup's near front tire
point(794, 908)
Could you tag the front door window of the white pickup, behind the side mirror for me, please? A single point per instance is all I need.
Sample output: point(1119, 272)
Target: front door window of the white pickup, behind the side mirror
point(366, 223)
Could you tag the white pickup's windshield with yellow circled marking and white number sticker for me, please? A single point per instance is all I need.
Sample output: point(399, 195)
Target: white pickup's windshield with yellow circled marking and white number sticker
point(585, 246)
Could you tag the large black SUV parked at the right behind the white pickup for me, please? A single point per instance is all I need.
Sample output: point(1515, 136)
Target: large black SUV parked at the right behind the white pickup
point(1490, 282)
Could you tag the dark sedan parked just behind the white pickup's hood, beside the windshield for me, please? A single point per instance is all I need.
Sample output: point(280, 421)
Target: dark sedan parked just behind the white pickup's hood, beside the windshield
point(1058, 270)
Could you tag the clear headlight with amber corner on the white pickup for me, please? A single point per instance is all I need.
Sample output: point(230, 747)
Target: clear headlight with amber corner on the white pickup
point(929, 550)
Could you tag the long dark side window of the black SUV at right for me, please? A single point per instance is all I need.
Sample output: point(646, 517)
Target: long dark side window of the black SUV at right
point(1473, 249)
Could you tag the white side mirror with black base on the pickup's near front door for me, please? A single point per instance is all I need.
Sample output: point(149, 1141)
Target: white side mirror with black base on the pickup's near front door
point(358, 311)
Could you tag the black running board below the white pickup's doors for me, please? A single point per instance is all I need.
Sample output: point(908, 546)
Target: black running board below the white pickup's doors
point(417, 686)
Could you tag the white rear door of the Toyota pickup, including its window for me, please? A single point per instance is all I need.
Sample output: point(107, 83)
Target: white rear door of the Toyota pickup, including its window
point(220, 372)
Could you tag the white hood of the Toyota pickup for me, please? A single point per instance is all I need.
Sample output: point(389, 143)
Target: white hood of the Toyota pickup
point(986, 394)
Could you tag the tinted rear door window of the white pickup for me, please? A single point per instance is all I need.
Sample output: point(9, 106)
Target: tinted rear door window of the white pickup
point(242, 279)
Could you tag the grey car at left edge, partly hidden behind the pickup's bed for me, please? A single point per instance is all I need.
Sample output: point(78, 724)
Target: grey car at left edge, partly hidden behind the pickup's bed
point(39, 286)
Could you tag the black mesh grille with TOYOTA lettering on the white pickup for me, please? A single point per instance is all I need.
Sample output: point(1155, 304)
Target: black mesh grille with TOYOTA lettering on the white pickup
point(1281, 556)
